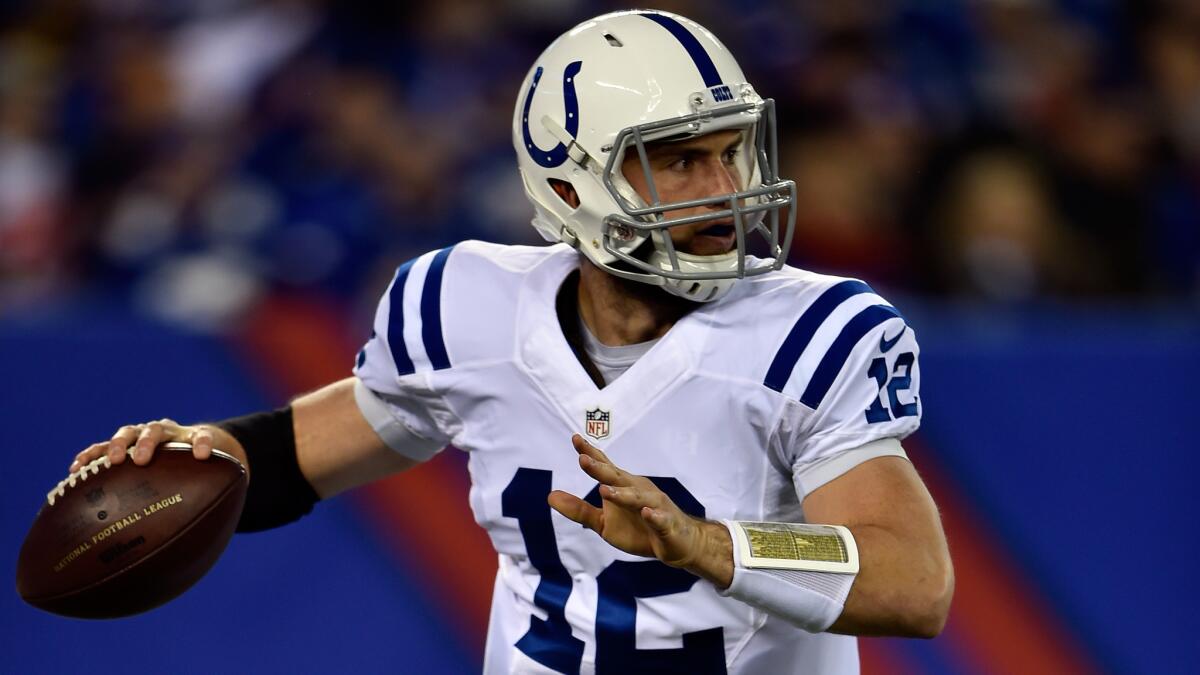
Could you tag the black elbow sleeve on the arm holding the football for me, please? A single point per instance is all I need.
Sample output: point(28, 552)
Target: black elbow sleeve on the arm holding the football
point(279, 493)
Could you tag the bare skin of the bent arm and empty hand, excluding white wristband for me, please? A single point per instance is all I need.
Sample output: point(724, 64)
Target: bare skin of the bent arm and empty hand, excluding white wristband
point(905, 580)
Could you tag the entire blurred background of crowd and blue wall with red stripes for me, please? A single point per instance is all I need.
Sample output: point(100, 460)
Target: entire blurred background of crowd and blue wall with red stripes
point(201, 201)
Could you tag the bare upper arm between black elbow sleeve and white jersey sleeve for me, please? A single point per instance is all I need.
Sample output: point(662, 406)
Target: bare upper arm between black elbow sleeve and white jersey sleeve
point(337, 447)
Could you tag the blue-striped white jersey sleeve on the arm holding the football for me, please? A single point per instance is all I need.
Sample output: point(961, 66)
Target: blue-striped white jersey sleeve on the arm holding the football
point(398, 391)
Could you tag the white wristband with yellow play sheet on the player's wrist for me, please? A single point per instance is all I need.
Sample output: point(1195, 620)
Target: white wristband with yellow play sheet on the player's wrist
point(799, 572)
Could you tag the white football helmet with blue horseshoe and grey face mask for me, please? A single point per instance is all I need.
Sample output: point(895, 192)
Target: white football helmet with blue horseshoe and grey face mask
point(631, 79)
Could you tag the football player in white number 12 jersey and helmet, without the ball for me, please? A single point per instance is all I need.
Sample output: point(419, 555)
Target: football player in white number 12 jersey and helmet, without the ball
point(687, 453)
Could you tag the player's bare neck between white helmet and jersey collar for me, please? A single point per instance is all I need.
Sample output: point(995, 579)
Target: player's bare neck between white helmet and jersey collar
point(620, 312)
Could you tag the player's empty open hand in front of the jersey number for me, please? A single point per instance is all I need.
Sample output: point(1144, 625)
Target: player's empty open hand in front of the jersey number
point(639, 518)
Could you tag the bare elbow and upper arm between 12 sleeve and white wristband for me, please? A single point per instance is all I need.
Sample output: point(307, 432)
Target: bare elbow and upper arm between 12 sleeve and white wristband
point(905, 580)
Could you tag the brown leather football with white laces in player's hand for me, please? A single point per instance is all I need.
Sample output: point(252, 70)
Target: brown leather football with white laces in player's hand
point(119, 540)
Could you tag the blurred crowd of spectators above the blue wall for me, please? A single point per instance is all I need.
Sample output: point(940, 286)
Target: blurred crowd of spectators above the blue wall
point(190, 157)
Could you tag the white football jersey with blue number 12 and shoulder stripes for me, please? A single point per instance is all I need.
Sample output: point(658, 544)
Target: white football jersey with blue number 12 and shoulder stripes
point(742, 409)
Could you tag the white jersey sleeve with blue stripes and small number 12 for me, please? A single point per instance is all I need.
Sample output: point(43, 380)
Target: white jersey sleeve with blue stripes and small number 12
point(854, 392)
